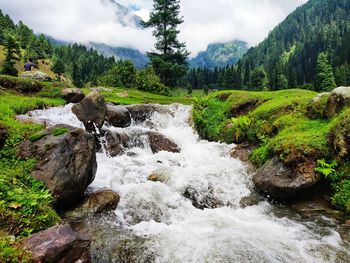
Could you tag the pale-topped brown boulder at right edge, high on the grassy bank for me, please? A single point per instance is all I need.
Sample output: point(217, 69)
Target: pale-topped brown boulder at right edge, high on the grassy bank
point(339, 98)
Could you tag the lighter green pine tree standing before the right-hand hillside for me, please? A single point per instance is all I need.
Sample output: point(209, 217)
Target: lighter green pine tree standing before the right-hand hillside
point(325, 79)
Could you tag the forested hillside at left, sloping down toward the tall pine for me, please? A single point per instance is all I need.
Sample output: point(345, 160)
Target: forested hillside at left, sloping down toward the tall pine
point(76, 62)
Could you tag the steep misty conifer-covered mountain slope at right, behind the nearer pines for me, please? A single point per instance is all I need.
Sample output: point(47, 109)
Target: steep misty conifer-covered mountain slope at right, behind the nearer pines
point(294, 45)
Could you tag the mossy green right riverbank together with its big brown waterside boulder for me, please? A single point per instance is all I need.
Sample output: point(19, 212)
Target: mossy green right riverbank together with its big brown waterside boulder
point(290, 130)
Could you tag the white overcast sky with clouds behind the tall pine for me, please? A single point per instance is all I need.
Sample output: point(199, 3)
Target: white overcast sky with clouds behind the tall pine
point(206, 21)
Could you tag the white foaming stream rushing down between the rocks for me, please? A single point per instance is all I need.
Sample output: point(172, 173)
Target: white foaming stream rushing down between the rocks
point(166, 227)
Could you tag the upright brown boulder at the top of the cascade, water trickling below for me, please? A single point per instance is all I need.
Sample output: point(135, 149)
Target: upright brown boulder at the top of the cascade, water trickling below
point(92, 111)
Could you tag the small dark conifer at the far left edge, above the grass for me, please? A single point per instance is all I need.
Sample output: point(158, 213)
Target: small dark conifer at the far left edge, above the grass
point(12, 55)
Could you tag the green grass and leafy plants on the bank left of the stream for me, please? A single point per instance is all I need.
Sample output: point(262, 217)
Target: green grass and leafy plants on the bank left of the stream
point(25, 204)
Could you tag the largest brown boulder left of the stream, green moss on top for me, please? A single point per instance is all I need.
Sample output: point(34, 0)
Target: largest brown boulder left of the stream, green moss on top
point(66, 161)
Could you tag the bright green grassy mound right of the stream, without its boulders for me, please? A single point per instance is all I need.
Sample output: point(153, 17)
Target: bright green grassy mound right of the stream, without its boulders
point(279, 126)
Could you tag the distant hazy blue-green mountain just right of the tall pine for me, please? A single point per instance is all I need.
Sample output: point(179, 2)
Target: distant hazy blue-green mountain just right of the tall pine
point(220, 55)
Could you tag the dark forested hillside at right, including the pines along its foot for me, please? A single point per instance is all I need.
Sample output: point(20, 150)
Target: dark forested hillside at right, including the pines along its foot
point(309, 47)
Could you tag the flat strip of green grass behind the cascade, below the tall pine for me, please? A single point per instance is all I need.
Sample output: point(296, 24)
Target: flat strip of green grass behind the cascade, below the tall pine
point(132, 96)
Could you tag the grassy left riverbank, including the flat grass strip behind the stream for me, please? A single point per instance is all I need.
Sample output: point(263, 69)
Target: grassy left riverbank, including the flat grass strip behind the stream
point(26, 207)
